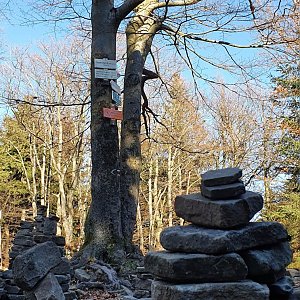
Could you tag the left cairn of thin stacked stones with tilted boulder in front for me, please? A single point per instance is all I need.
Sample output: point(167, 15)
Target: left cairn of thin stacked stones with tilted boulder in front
point(38, 268)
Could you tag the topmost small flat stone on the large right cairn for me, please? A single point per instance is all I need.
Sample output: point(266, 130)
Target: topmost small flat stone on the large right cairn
point(221, 176)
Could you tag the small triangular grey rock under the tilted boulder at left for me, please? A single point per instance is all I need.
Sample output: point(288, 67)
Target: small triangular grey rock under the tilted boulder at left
point(49, 289)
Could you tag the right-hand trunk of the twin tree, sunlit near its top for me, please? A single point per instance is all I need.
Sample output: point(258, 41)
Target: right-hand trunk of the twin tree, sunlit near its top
point(138, 47)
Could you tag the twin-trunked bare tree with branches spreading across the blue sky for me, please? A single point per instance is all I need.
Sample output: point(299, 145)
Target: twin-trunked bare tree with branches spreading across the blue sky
point(186, 25)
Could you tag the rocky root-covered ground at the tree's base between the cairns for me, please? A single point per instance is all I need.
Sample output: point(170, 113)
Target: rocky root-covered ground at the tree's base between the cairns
point(98, 280)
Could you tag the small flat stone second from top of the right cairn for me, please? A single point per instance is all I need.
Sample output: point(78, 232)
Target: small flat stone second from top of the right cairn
point(221, 192)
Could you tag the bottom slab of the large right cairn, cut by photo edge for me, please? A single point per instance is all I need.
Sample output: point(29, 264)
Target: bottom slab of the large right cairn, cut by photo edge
point(243, 290)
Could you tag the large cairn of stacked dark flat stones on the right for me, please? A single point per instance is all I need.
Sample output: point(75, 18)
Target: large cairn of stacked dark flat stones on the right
point(221, 255)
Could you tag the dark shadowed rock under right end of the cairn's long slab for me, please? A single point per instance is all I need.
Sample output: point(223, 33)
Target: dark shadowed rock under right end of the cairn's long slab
point(267, 261)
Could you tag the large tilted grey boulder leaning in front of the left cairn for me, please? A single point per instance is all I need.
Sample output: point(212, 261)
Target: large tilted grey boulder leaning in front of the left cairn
point(31, 266)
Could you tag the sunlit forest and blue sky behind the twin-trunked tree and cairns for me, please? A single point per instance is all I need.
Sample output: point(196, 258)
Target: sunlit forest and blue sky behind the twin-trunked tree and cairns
point(212, 108)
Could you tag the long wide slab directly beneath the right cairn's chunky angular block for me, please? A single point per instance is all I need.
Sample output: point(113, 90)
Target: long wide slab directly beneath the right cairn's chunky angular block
point(195, 239)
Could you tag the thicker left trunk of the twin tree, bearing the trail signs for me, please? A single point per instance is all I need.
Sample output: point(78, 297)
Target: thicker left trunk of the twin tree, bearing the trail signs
point(103, 234)
